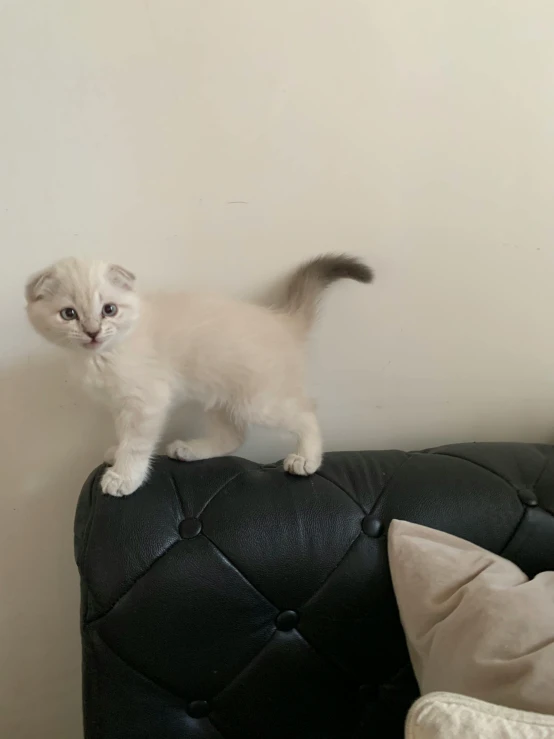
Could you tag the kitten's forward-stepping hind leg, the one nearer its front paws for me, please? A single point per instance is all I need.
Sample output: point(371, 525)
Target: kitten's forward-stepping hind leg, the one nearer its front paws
point(224, 435)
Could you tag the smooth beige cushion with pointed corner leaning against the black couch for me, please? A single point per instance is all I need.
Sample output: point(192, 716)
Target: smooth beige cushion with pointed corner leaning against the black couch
point(475, 624)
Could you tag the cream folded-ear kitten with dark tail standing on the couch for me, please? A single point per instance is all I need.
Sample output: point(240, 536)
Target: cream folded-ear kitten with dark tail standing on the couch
point(243, 362)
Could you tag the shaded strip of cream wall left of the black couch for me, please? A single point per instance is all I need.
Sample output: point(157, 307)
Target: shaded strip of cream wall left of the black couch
point(50, 439)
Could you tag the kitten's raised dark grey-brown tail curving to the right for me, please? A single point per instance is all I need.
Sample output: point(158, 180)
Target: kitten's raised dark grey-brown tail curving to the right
point(306, 285)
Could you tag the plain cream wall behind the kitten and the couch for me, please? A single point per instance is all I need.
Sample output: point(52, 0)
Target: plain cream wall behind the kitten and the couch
point(217, 142)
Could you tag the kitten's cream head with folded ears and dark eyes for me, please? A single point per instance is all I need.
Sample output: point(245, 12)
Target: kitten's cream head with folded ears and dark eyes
point(82, 305)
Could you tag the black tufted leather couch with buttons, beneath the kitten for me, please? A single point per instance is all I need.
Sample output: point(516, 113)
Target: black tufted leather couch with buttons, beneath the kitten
point(229, 599)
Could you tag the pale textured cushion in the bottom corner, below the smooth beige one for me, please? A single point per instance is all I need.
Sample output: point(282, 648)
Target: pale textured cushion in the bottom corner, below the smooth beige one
point(449, 716)
